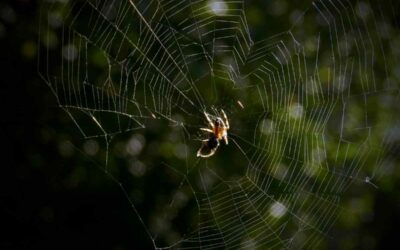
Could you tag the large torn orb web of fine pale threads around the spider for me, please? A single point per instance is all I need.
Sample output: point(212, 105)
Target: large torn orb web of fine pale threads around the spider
point(308, 110)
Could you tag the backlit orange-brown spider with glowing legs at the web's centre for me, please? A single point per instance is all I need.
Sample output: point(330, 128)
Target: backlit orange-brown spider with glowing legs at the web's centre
point(219, 130)
